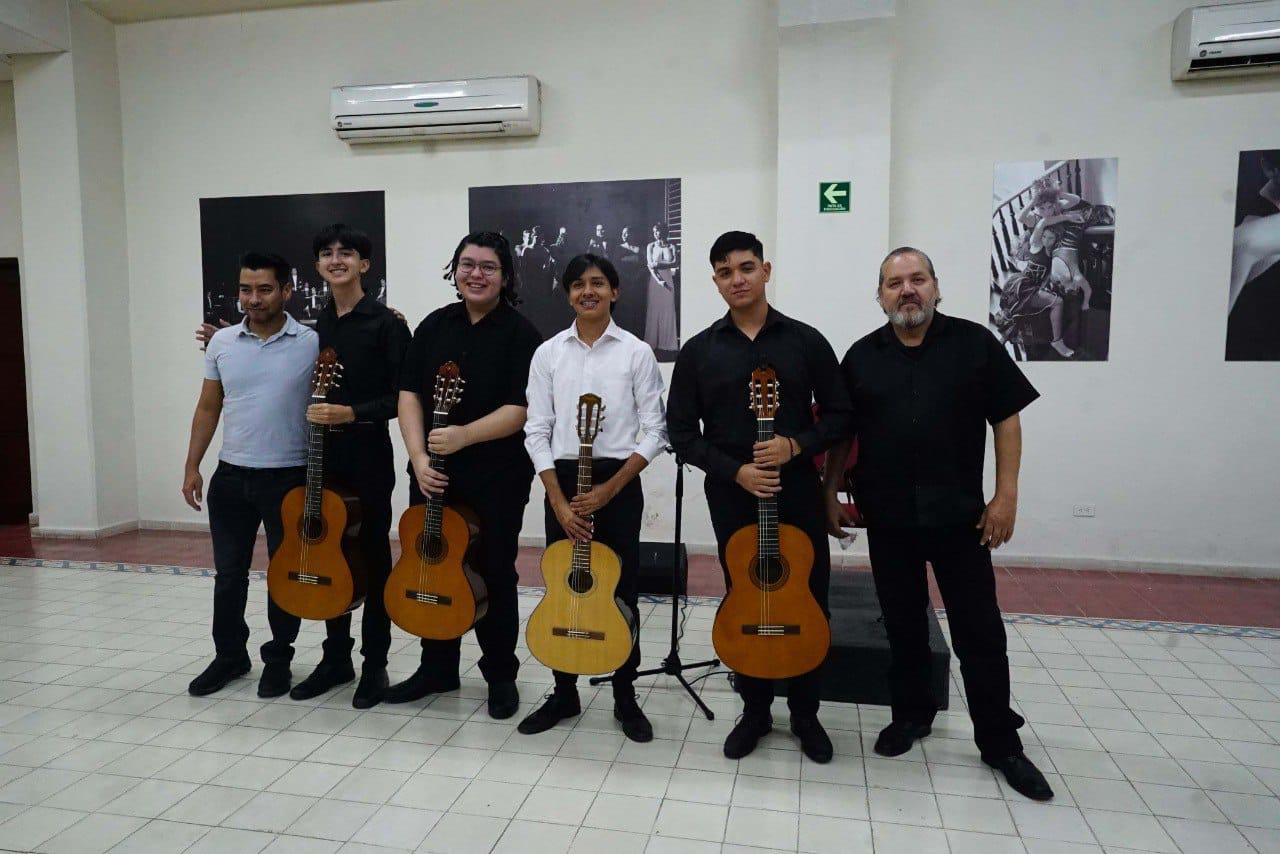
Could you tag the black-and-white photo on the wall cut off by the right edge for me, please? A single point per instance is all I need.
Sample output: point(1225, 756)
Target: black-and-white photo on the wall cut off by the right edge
point(1254, 299)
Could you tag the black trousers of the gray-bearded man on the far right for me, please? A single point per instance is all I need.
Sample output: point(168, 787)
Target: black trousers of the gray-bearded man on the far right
point(962, 567)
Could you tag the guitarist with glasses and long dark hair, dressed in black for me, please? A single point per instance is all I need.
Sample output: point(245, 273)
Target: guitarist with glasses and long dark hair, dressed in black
point(487, 469)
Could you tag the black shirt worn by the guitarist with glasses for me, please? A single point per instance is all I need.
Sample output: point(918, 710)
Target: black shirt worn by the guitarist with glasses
point(493, 358)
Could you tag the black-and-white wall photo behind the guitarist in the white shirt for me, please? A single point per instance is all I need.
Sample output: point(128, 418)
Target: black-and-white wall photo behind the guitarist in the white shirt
point(633, 223)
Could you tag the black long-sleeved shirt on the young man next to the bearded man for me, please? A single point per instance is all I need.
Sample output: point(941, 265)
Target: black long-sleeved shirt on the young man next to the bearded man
point(711, 386)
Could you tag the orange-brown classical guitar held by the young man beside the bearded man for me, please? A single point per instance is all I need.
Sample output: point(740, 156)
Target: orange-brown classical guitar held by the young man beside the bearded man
point(770, 625)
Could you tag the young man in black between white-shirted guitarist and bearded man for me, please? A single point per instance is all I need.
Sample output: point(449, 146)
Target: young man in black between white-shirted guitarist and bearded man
point(712, 427)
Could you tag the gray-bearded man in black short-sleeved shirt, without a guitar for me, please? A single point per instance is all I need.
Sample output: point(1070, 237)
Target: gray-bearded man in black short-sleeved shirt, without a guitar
point(925, 387)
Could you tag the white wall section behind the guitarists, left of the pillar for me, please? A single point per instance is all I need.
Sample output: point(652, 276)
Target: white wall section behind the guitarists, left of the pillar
point(237, 106)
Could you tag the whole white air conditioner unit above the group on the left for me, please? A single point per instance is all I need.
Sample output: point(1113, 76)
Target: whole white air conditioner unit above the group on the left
point(482, 107)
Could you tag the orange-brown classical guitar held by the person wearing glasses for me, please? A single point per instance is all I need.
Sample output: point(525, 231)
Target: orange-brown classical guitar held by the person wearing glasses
point(433, 592)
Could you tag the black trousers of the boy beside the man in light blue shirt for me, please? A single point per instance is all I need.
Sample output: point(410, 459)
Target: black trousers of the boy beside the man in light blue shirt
point(358, 456)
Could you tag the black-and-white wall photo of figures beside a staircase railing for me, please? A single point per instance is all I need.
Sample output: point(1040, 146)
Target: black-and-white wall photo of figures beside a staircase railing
point(1053, 248)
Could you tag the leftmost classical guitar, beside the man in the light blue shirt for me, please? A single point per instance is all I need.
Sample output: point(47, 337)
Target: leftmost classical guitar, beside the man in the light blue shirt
point(319, 570)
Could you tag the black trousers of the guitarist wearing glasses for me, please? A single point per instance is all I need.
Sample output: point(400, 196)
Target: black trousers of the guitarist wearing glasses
point(499, 500)
